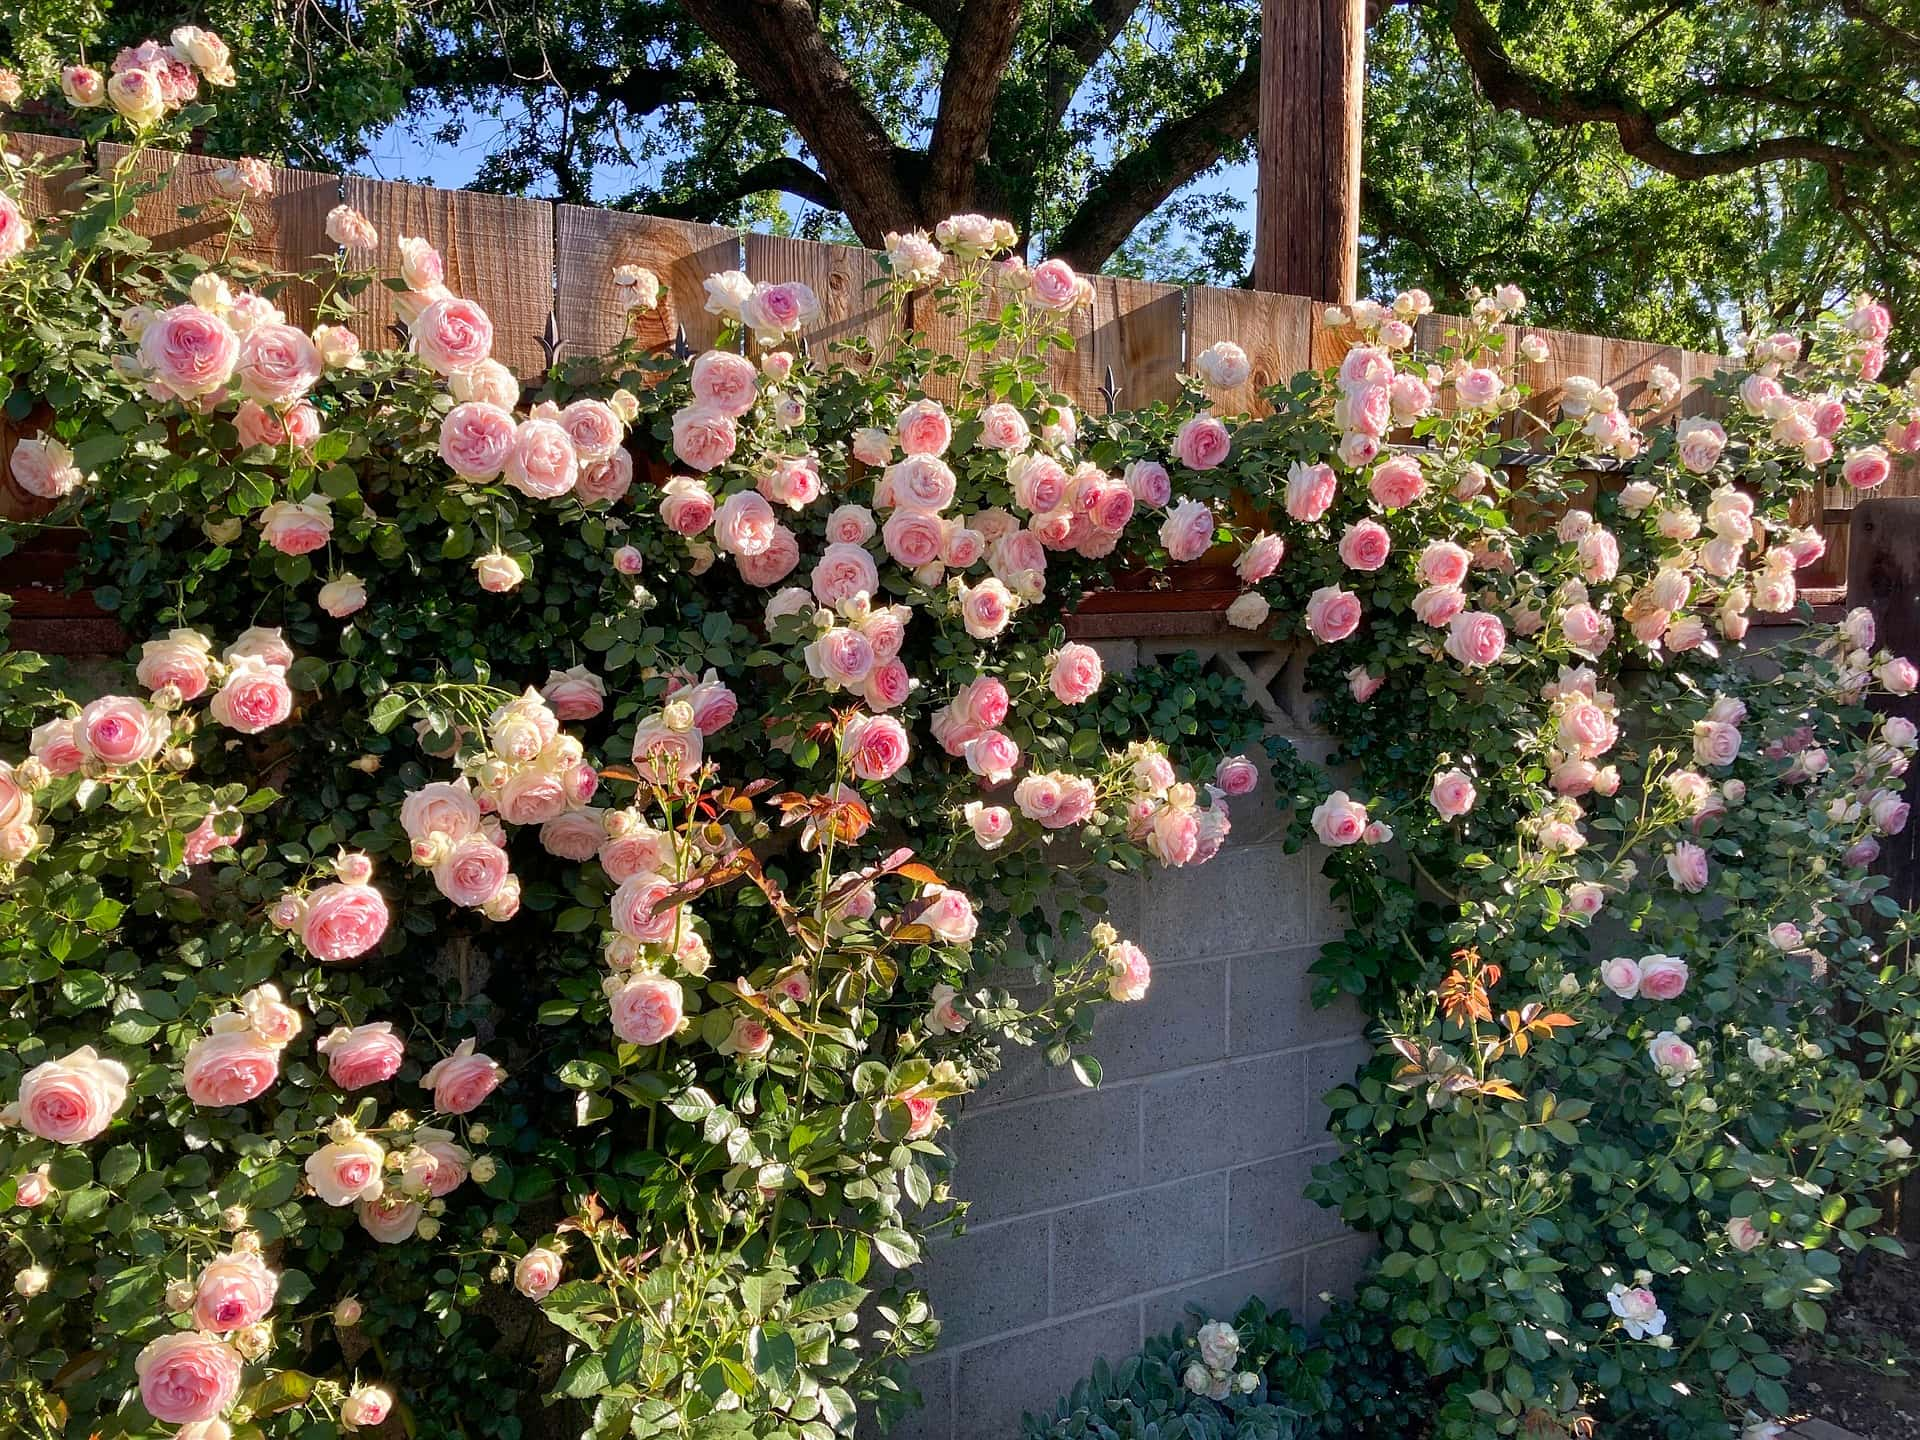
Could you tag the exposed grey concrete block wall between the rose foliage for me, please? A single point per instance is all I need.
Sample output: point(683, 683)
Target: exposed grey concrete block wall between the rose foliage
point(1099, 1216)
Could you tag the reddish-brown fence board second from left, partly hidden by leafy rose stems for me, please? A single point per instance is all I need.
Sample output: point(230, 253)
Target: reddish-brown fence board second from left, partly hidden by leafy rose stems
point(287, 229)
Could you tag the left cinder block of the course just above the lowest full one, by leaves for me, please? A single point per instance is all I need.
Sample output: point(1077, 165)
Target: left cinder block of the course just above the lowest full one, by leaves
point(1049, 1153)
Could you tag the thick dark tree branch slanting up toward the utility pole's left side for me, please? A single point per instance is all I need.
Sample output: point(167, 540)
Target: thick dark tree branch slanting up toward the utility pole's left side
point(1138, 183)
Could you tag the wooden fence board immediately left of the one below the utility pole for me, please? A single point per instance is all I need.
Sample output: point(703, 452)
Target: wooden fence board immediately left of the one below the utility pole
point(1138, 329)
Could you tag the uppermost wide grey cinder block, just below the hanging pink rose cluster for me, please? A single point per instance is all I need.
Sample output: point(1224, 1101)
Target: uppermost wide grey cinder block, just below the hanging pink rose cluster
point(1247, 900)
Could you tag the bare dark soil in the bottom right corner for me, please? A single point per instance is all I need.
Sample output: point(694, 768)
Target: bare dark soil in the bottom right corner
point(1865, 1374)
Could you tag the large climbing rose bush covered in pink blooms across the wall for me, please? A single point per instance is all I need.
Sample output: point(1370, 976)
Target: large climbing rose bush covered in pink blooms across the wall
point(510, 949)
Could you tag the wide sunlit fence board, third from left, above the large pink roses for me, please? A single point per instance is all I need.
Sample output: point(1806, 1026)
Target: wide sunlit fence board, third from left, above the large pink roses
point(498, 252)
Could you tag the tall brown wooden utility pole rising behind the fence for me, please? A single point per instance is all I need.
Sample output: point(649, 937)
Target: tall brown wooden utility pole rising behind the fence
point(1312, 76)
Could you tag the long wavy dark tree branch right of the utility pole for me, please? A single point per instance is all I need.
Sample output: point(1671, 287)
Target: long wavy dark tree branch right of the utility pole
point(1510, 87)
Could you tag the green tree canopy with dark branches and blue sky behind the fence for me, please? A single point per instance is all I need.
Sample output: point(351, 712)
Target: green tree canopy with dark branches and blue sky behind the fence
point(1679, 170)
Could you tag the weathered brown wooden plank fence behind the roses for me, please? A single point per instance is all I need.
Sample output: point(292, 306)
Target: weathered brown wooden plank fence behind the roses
point(546, 272)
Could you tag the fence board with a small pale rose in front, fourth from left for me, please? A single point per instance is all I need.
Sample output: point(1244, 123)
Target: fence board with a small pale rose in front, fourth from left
point(587, 249)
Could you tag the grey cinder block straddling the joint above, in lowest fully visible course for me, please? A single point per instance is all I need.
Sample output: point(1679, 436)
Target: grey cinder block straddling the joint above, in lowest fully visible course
point(1141, 1241)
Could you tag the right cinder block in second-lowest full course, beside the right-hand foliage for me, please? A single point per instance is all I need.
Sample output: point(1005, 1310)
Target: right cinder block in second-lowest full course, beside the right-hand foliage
point(1222, 1116)
